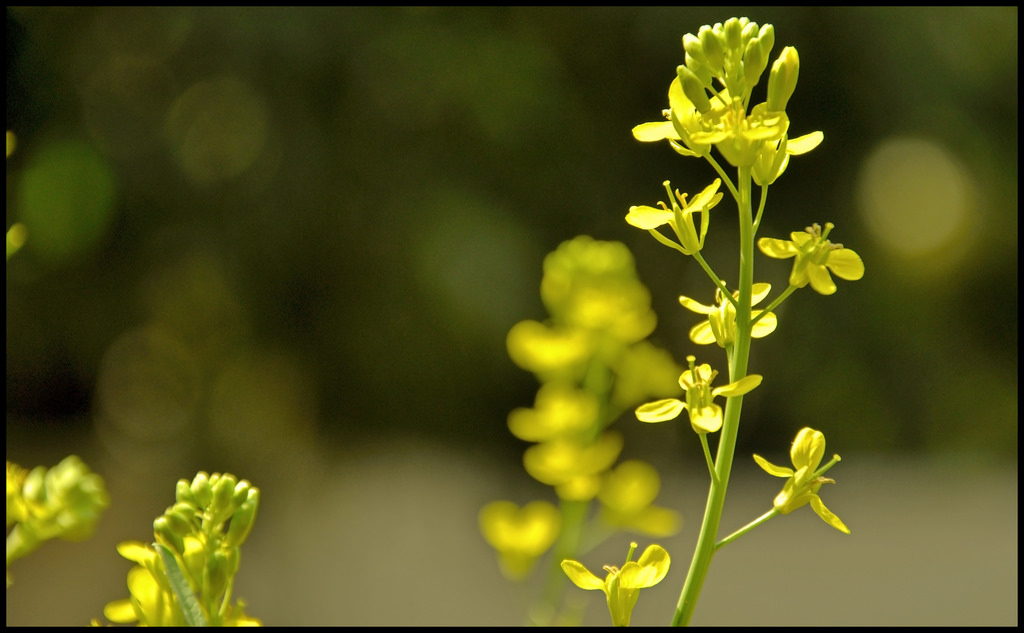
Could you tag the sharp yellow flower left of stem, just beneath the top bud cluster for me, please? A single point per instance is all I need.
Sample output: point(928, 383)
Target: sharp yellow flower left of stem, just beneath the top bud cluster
point(679, 218)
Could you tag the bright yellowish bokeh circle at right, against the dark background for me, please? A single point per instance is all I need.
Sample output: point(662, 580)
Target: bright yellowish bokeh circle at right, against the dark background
point(919, 200)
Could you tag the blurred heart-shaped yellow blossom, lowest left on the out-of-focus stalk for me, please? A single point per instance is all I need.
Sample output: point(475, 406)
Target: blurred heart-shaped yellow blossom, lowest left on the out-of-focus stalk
point(520, 535)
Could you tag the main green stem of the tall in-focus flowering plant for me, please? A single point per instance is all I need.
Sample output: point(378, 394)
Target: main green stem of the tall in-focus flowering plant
point(731, 427)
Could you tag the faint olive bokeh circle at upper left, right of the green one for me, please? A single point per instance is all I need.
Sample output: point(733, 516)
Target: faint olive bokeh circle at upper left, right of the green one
point(219, 130)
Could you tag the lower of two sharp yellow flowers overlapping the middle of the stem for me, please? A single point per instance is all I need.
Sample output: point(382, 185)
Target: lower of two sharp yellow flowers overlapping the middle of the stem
point(706, 416)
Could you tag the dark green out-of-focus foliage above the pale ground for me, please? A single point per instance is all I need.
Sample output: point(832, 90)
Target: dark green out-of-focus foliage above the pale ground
point(263, 227)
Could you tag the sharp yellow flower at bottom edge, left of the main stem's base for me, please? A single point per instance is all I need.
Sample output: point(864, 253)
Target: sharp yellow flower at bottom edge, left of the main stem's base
point(623, 586)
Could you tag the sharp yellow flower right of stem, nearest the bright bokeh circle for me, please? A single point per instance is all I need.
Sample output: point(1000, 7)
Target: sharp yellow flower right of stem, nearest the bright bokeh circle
point(815, 255)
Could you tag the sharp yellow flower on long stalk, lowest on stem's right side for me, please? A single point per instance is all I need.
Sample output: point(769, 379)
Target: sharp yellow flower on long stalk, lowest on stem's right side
point(804, 482)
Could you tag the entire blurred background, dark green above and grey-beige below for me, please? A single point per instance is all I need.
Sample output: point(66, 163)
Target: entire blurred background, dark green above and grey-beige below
point(288, 243)
